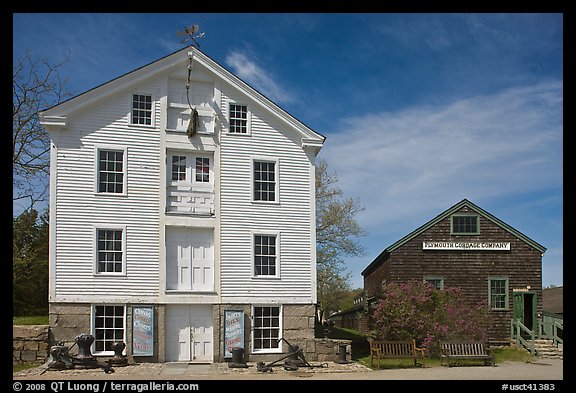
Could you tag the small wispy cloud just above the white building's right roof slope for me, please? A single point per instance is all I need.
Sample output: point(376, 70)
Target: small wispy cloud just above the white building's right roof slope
point(250, 72)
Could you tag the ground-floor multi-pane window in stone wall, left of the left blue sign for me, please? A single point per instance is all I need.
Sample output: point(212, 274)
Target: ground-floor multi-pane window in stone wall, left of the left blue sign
point(108, 327)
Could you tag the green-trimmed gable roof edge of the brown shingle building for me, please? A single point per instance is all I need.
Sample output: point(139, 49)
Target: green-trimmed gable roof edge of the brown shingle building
point(448, 213)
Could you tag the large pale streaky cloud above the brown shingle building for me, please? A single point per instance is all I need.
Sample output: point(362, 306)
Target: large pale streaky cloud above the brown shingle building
point(405, 165)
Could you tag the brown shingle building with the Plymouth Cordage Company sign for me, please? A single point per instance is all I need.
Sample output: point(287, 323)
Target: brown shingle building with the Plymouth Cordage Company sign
point(469, 248)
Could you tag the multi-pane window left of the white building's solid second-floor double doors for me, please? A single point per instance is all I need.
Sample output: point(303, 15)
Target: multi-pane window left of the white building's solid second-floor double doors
point(109, 251)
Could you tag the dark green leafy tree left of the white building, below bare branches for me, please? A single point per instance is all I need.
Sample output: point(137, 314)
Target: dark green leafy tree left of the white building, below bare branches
point(30, 264)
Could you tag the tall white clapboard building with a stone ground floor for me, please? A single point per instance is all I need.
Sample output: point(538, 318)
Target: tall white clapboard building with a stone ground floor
point(183, 239)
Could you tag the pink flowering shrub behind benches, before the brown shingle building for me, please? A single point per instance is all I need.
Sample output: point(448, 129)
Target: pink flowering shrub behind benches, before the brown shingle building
point(418, 310)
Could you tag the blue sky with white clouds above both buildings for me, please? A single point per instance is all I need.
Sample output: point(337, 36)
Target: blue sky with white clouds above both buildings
point(420, 110)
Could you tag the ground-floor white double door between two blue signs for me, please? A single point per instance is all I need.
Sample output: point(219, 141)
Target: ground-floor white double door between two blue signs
point(189, 330)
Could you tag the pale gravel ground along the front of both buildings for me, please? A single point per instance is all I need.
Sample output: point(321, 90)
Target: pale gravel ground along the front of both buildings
point(539, 370)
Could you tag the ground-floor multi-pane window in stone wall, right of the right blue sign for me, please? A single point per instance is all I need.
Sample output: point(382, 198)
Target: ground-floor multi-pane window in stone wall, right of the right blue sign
point(266, 328)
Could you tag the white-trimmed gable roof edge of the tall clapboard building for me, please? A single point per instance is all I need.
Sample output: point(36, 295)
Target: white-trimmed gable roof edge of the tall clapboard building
point(57, 114)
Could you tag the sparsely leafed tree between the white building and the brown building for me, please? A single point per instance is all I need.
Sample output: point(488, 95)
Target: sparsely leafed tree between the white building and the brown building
point(337, 234)
